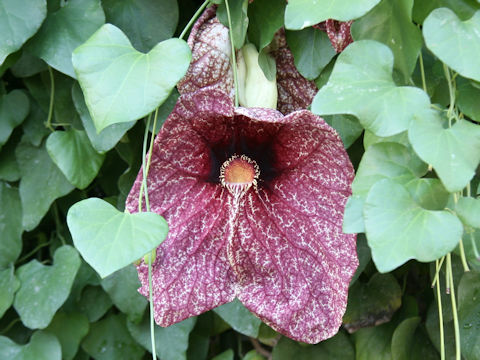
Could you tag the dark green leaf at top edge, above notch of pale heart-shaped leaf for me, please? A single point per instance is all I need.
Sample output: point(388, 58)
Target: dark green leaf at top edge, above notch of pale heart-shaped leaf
point(145, 22)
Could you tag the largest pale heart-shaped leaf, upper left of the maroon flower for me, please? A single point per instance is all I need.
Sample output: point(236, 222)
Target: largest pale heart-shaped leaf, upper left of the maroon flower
point(121, 84)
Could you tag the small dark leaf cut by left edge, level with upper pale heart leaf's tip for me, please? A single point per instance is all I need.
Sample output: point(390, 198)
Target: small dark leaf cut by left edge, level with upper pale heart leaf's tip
point(13, 109)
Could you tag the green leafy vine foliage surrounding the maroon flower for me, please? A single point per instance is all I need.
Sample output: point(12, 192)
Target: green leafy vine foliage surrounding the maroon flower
point(415, 144)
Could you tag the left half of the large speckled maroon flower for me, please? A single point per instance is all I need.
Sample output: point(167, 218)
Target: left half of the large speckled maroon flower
point(191, 273)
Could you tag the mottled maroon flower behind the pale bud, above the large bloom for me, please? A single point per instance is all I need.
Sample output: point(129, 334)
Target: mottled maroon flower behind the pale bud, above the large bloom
point(211, 65)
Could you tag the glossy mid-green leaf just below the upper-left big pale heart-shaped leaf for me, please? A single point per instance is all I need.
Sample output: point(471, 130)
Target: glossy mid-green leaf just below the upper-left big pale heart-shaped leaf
point(74, 155)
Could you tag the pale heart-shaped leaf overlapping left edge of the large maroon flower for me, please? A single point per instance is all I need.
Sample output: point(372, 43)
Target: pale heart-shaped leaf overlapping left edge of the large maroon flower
point(109, 239)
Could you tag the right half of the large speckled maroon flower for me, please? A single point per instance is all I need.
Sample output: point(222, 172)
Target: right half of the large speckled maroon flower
point(292, 261)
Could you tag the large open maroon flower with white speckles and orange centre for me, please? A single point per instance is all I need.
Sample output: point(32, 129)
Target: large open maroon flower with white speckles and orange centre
point(254, 201)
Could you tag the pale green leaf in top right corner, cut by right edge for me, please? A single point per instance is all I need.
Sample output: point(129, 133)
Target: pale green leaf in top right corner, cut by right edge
point(455, 42)
